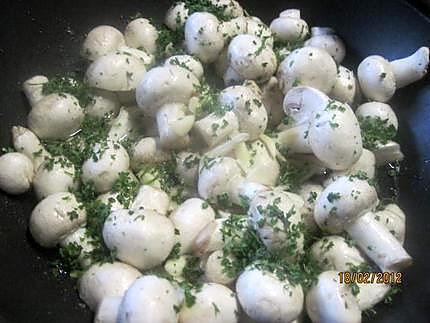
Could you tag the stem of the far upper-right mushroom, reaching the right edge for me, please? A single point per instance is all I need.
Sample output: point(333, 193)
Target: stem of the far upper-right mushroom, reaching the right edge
point(412, 68)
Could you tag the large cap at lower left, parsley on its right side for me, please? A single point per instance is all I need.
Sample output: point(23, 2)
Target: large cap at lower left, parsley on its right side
point(55, 217)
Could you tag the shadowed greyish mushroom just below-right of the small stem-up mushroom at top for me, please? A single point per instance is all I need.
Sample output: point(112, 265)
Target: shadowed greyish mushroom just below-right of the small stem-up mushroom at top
point(326, 39)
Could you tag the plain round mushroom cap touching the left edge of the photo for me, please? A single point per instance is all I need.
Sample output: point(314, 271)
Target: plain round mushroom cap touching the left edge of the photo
point(16, 173)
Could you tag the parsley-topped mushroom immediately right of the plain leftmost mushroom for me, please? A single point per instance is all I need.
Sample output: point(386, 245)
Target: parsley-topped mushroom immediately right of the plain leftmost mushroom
point(55, 175)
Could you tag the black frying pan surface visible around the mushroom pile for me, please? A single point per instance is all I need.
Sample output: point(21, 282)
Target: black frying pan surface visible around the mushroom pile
point(44, 36)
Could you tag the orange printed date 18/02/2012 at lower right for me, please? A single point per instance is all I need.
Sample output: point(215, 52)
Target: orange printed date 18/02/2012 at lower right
point(347, 277)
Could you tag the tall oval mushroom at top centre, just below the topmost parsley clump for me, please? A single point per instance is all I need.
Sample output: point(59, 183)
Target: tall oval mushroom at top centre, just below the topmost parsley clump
point(203, 37)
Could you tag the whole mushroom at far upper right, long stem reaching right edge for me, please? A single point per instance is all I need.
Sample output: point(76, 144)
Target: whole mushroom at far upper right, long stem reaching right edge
point(380, 78)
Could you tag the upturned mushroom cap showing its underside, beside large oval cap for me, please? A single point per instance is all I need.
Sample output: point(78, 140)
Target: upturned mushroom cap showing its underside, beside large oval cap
point(302, 103)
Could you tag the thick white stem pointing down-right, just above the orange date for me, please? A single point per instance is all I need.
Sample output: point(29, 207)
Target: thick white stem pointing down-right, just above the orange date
point(378, 243)
